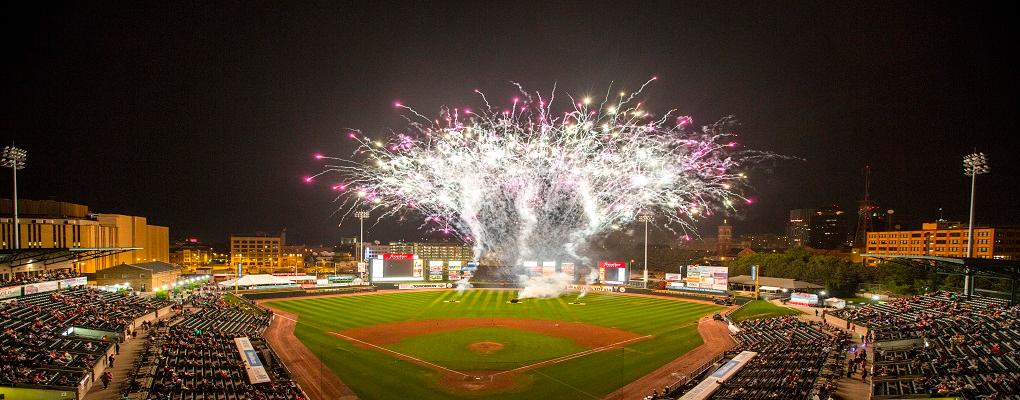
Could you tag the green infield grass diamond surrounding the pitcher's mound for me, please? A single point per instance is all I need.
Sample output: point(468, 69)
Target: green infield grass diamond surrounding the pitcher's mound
point(521, 348)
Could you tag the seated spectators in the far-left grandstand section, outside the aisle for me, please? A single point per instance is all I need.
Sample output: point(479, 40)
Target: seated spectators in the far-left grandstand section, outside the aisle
point(36, 346)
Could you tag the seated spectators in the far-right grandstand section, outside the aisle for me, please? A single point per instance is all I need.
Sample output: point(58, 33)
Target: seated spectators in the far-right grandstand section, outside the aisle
point(967, 348)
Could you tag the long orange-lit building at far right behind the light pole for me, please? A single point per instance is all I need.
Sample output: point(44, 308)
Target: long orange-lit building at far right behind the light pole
point(949, 240)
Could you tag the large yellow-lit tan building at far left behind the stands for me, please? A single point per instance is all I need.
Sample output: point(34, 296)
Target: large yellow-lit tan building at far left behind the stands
point(48, 224)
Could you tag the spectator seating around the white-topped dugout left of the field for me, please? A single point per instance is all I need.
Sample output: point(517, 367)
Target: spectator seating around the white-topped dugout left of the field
point(196, 358)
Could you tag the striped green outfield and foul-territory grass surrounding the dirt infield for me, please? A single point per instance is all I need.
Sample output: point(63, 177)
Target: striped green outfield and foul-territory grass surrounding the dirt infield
point(376, 376)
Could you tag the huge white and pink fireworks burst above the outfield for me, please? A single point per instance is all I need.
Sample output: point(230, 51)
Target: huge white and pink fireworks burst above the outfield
point(532, 181)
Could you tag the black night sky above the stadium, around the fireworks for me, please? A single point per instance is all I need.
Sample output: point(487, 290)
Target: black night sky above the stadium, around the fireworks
point(205, 118)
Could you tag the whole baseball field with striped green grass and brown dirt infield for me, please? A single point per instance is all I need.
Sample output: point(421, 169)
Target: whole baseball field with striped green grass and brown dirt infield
point(441, 344)
